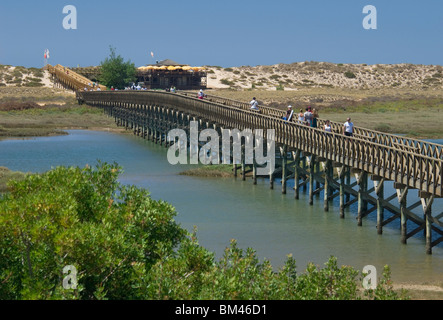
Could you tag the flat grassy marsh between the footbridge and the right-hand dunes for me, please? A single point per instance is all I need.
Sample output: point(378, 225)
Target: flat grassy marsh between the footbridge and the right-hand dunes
point(393, 110)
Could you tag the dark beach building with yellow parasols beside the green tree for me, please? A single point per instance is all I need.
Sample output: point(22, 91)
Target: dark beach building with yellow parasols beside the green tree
point(168, 73)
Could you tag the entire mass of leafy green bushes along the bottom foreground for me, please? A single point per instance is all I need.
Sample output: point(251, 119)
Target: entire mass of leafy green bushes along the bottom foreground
point(125, 245)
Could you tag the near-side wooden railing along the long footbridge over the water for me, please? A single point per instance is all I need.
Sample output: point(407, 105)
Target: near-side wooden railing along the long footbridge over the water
point(393, 163)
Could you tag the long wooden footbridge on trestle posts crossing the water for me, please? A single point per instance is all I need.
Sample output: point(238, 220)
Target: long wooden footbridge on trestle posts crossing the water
point(315, 160)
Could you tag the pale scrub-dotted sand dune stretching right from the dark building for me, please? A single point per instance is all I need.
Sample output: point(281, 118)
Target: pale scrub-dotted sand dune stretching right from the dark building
point(322, 74)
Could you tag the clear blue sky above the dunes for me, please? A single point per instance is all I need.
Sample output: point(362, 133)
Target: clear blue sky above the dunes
point(225, 33)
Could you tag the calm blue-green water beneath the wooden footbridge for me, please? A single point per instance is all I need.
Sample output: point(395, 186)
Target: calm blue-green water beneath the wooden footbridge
point(222, 209)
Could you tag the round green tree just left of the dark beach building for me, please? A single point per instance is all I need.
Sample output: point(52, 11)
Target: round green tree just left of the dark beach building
point(115, 72)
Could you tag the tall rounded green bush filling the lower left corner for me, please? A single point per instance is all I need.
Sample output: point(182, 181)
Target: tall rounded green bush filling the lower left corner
point(86, 219)
